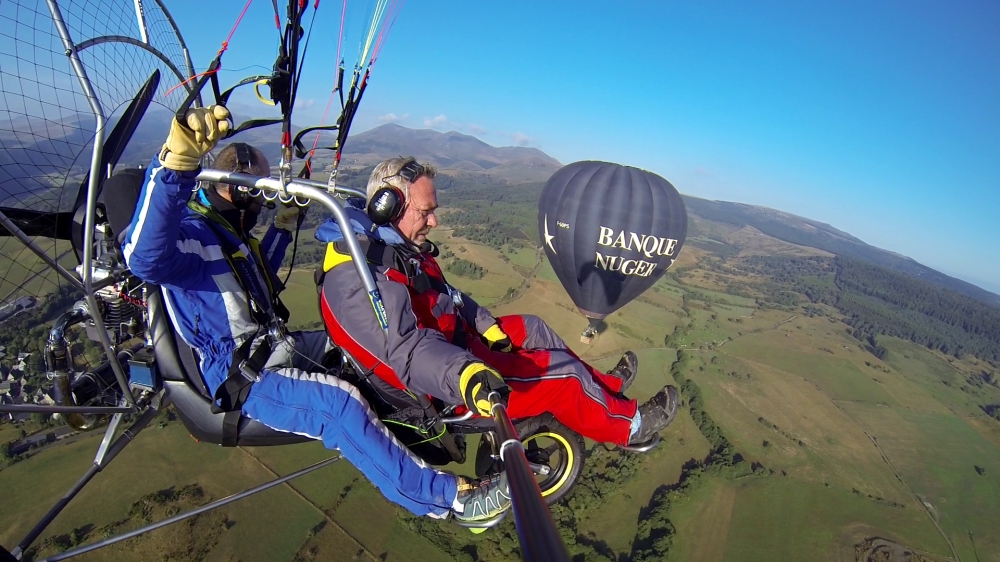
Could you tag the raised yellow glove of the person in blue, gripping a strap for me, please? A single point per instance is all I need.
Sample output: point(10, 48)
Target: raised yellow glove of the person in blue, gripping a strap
point(187, 144)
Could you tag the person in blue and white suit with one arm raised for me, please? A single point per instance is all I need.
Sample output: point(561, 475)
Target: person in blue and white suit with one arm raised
point(219, 289)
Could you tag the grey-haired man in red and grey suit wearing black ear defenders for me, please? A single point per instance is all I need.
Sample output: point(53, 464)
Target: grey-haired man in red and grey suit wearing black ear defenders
point(442, 343)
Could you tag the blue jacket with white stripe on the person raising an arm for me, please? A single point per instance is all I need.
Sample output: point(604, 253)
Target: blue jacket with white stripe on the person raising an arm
point(173, 246)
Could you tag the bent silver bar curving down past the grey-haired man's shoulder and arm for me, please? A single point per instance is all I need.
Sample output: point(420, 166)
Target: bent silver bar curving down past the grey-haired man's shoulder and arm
point(323, 196)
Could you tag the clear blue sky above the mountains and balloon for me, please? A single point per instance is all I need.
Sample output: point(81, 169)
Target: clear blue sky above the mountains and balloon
point(879, 118)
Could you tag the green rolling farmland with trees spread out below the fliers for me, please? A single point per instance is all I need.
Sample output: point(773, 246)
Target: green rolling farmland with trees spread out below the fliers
point(834, 409)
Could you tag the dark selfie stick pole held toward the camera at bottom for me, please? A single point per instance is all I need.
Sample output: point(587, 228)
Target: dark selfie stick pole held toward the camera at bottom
point(536, 531)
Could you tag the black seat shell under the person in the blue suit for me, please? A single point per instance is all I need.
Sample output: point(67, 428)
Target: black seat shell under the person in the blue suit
point(185, 387)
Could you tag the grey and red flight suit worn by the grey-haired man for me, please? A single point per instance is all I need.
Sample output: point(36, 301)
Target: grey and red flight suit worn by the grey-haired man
point(434, 333)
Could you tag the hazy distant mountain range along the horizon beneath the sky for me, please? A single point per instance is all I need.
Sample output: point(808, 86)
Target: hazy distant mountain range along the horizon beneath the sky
point(458, 156)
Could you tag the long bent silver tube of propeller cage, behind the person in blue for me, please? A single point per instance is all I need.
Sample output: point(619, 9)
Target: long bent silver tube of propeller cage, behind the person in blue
point(95, 175)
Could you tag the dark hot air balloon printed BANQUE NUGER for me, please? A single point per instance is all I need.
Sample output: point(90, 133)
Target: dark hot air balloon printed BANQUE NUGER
point(609, 231)
